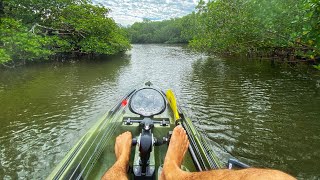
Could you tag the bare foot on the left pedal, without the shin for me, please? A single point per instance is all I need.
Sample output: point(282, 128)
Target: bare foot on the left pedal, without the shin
point(123, 146)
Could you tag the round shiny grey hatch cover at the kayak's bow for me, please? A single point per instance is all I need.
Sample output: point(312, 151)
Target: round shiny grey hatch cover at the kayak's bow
point(147, 102)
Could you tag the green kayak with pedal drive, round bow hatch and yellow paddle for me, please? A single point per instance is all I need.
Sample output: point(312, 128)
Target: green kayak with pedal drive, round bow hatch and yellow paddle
point(150, 114)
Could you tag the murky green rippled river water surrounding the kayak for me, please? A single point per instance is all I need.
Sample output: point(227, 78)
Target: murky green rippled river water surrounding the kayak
point(265, 116)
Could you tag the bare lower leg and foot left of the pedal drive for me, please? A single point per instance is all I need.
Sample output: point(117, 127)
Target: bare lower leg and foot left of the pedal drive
point(122, 150)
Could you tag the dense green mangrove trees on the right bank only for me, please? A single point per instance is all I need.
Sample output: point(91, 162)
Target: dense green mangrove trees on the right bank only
point(245, 26)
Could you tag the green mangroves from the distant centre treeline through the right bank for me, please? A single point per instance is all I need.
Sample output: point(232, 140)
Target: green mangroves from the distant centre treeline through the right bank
point(286, 28)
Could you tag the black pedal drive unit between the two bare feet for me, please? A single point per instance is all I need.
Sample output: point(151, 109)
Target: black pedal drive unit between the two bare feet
point(144, 160)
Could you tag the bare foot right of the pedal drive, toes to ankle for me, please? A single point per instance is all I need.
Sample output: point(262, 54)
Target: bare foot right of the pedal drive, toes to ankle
point(177, 148)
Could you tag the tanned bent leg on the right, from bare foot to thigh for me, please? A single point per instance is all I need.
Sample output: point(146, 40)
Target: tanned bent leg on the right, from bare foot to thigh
point(177, 149)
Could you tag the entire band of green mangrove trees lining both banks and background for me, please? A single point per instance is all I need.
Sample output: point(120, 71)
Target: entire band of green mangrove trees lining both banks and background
point(37, 29)
